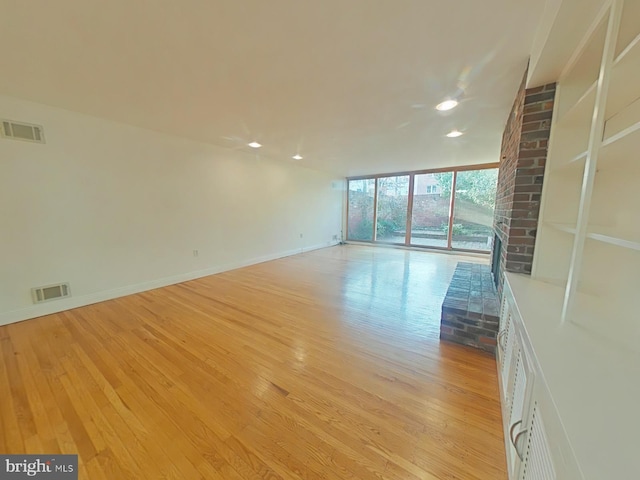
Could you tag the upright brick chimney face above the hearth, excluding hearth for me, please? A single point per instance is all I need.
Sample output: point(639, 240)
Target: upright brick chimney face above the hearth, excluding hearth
point(523, 157)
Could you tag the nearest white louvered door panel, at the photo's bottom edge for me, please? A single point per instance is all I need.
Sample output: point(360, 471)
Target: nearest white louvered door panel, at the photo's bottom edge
point(538, 464)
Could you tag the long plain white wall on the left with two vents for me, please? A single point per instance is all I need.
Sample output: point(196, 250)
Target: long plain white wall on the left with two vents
point(114, 209)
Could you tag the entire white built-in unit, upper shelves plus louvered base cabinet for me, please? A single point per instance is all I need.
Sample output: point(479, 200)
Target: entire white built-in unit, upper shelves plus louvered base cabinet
point(578, 313)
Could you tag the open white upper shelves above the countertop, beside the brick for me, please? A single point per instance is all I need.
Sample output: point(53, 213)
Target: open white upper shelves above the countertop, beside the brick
point(590, 210)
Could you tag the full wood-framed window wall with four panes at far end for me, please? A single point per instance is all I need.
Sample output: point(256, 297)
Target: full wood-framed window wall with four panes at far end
point(438, 209)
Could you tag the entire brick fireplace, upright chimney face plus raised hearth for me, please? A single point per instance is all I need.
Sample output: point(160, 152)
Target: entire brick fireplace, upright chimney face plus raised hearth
point(470, 308)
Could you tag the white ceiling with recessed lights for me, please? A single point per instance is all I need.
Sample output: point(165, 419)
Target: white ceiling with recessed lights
point(348, 84)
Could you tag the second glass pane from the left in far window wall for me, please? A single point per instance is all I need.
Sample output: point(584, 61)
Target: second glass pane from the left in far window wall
point(393, 197)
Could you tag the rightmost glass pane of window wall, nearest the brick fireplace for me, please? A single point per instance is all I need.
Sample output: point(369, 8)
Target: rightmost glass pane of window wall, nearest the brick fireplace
point(473, 211)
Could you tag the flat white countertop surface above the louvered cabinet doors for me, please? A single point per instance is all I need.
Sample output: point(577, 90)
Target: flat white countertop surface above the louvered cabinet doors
point(593, 381)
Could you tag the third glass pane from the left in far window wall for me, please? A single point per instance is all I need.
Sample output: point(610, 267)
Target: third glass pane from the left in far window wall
point(430, 215)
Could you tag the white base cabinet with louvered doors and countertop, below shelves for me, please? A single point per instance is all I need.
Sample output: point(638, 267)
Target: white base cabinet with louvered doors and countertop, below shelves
point(575, 394)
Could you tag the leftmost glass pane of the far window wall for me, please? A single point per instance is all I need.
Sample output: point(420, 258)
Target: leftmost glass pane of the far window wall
point(360, 221)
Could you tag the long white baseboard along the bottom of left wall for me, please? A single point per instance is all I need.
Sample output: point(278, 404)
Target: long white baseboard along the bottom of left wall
point(34, 311)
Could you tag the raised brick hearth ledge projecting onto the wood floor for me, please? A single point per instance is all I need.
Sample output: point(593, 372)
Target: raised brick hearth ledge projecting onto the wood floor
point(470, 308)
